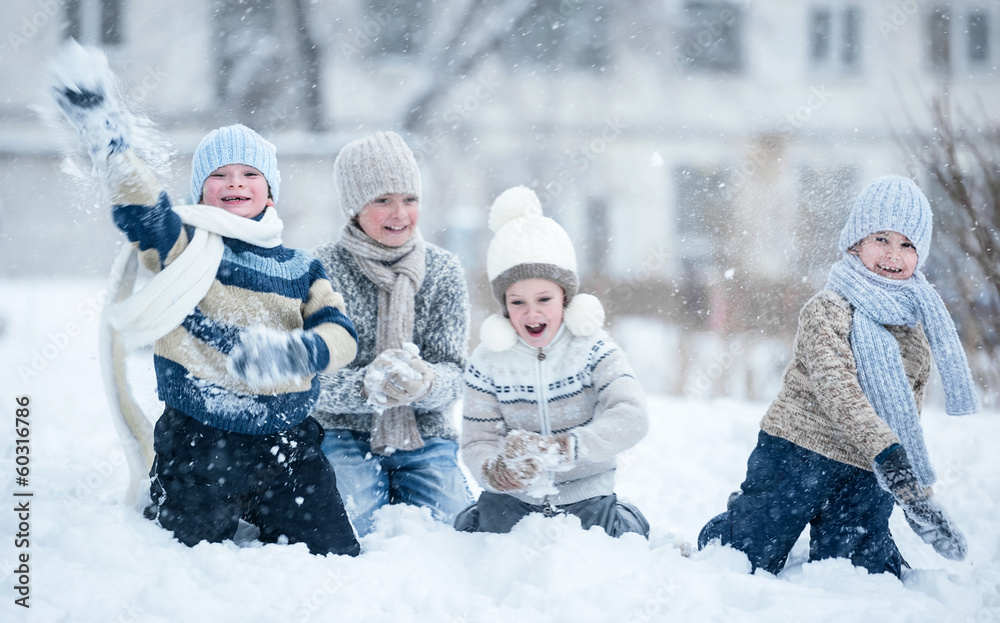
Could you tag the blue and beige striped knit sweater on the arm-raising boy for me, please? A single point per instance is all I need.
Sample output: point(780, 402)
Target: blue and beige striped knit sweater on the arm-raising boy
point(279, 288)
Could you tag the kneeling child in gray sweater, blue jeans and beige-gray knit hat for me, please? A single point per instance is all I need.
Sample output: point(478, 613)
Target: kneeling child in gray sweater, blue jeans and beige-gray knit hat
point(389, 433)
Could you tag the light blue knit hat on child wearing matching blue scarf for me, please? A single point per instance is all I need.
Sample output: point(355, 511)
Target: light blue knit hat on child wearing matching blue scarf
point(890, 203)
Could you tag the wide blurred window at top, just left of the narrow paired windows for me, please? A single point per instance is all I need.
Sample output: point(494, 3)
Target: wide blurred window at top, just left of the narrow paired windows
point(712, 37)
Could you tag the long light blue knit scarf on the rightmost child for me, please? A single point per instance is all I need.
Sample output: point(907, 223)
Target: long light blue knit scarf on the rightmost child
point(879, 301)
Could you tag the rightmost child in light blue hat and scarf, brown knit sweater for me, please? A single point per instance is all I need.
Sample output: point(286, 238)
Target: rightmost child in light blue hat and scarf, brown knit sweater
point(842, 441)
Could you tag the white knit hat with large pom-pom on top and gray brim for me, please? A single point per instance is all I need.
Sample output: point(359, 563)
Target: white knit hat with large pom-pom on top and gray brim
point(527, 245)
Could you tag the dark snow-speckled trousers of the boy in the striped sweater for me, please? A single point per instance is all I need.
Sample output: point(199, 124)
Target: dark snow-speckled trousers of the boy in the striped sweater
point(204, 480)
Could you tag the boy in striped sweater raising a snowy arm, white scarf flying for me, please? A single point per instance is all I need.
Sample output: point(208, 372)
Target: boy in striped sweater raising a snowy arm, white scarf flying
point(240, 325)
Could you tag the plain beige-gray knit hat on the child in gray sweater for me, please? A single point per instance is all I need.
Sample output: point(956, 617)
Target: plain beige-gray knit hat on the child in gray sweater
point(373, 166)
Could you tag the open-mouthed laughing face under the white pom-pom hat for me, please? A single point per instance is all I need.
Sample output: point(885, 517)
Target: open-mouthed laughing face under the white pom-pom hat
point(535, 308)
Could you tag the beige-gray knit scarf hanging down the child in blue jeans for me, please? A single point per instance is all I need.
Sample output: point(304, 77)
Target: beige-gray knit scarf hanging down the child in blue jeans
point(398, 272)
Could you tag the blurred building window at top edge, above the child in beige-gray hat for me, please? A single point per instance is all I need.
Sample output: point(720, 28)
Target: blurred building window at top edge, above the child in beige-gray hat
point(400, 28)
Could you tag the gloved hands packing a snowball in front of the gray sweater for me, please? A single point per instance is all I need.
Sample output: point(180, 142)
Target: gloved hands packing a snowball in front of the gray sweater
point(398, 376)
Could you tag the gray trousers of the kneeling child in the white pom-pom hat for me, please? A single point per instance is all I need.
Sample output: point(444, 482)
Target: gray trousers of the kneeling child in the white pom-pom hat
point(495, 512)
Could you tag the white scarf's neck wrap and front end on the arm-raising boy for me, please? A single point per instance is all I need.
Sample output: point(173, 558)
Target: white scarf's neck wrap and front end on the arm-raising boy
point(173, 293)
